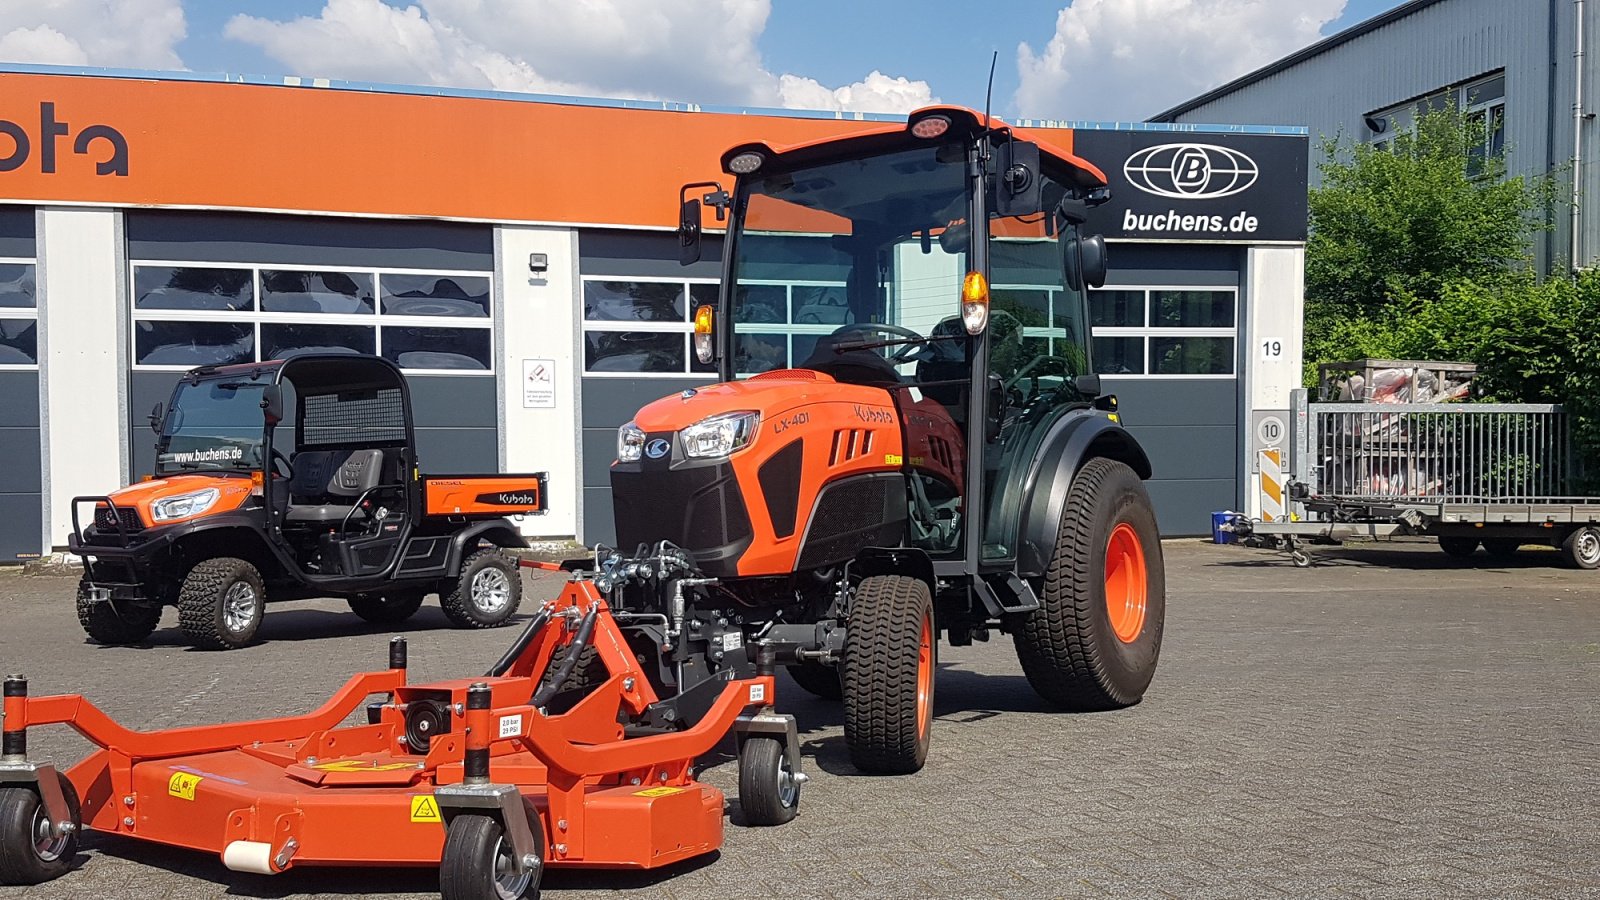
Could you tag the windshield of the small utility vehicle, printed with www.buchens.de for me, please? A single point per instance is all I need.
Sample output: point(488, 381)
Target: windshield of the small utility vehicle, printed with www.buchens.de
point(214, 425)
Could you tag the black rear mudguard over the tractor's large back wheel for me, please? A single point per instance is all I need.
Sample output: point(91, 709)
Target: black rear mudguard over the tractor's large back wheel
point(1073, 441)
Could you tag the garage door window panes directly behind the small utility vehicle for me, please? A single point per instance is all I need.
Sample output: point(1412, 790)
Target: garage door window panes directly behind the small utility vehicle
point(210, 315)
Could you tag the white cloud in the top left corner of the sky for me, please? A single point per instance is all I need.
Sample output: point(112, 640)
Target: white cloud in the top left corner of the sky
point(137, 34)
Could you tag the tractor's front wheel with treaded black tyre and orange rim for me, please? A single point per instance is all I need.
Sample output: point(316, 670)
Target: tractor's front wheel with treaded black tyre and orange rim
point(889, 675)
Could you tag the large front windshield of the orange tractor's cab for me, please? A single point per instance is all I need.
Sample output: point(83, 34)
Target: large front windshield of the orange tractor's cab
point(855, 252)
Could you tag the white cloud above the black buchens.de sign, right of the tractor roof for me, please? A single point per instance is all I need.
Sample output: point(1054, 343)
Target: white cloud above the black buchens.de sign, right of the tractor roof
point(1127, 60)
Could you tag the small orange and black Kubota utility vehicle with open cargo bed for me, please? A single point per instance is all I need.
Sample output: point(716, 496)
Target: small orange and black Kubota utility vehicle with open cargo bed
point(247, 505)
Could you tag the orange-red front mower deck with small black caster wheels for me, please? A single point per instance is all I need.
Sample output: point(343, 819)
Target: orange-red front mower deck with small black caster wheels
point(489, 779)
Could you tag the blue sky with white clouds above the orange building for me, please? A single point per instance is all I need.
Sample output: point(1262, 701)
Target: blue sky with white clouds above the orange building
point(1082, 60)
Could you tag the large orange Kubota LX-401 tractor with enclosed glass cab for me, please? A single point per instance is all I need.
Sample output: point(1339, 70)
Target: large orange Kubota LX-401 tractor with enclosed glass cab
point(908, 440)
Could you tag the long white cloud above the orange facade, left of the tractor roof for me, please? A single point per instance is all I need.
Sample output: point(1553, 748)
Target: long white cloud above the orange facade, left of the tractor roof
point(687, 50)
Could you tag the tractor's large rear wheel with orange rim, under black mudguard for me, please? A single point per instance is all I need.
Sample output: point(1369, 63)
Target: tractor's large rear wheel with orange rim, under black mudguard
point(1094, 641)
